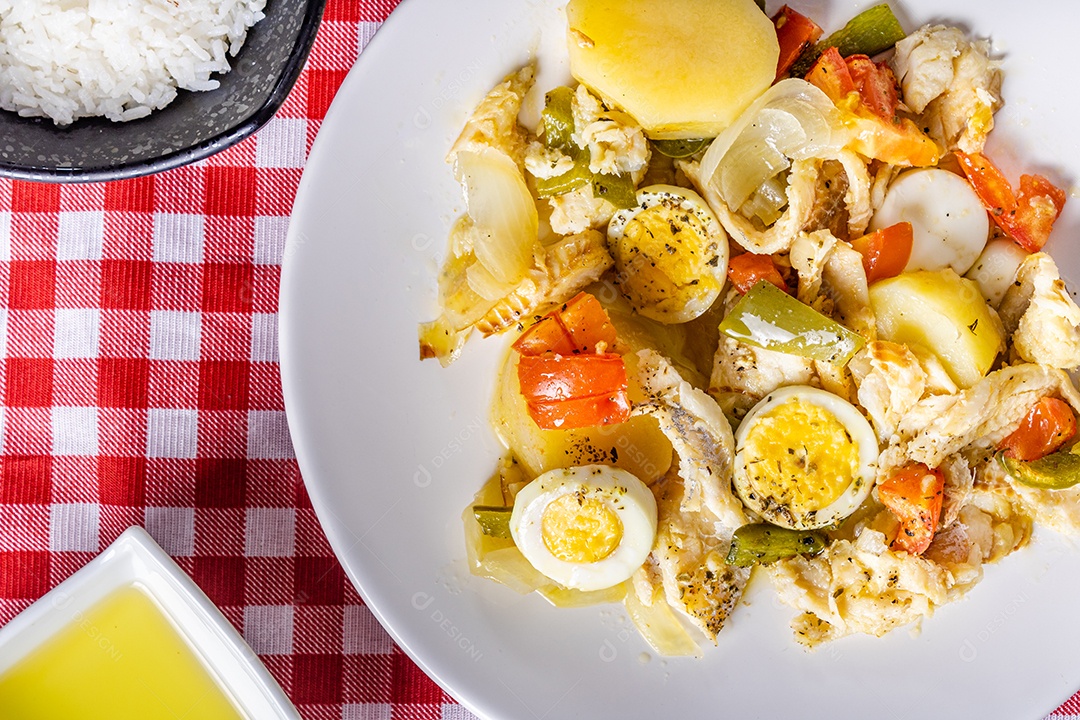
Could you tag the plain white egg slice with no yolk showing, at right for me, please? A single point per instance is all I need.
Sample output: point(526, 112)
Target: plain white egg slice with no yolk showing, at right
point(950, 226)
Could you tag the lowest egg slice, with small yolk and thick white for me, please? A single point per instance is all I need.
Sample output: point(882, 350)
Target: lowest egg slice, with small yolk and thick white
point(588, 527)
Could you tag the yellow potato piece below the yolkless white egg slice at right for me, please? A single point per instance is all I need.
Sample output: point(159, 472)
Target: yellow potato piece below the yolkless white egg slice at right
point(944, 314)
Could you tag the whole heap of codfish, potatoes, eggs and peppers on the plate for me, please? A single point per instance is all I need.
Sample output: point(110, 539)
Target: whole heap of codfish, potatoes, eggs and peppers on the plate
point(772, 310)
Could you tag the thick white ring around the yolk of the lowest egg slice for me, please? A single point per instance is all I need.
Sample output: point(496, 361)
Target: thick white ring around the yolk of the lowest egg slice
point(624, 494)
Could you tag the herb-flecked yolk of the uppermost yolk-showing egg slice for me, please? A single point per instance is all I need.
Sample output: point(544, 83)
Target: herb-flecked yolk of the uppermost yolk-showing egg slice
point(666, 244)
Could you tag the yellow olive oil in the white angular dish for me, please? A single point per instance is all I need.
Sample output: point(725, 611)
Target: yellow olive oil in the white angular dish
point(120, 660)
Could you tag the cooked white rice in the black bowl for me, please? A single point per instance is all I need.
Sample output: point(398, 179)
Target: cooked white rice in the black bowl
point(67, 60)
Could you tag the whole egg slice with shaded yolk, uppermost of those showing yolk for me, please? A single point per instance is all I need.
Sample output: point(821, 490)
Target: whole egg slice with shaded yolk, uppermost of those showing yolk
point(671, 254)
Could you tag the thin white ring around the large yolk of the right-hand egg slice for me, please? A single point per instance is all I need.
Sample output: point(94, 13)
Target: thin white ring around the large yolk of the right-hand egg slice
point(850, 499)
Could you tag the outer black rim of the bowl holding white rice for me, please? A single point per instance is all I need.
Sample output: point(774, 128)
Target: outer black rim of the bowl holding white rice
point(305, 40)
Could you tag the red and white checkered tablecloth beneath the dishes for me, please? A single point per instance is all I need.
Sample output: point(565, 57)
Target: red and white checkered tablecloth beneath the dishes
point(140, 379)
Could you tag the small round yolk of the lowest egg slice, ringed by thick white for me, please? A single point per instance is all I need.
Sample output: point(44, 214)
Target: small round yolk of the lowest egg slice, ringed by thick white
point(578, 529)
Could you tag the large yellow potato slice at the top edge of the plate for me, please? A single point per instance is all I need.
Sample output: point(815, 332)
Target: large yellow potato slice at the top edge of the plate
point(682, 69)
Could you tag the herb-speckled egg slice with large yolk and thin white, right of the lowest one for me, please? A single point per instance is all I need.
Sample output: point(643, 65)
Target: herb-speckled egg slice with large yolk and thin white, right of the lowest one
point(805, 458)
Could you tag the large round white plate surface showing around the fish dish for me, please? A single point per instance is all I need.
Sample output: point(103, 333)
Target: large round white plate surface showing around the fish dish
point(393, 450)
